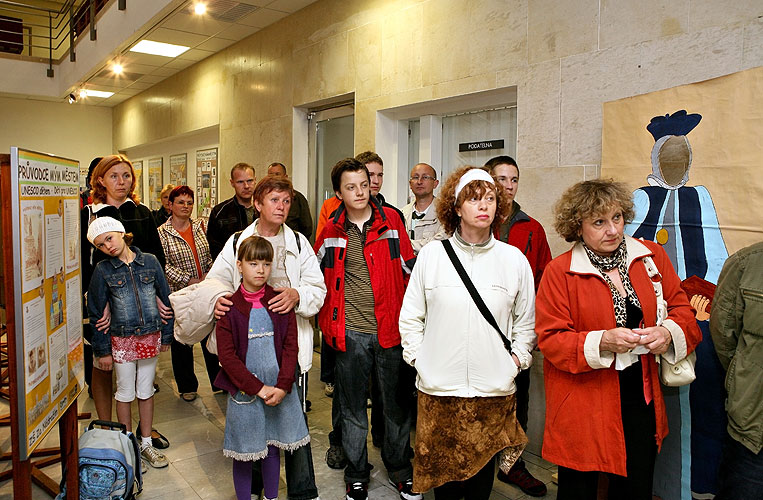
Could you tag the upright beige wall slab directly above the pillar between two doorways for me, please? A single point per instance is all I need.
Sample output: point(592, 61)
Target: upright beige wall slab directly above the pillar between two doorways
point(365, 56)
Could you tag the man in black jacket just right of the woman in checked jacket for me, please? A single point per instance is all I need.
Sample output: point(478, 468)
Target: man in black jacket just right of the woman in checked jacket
point(233, 214)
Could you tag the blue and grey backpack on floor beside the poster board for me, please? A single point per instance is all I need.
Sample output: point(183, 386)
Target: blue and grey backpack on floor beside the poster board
point(109, 463)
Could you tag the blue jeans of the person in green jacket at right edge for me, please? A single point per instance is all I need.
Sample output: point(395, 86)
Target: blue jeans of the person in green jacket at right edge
point(741, 472)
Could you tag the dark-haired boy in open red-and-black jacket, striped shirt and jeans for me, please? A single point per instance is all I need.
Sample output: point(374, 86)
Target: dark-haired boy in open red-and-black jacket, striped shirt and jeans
point(365, 255)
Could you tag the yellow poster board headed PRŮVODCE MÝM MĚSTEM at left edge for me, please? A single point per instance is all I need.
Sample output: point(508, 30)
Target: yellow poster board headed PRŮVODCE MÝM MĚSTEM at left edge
point(48, 290)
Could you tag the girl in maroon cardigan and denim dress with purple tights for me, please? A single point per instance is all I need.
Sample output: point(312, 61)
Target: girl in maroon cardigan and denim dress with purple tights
point(258, 354)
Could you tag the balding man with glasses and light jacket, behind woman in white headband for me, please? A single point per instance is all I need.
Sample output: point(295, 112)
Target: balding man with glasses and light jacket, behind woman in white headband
point(421, 214)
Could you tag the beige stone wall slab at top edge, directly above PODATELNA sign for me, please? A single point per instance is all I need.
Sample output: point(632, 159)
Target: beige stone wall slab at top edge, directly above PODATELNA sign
point(498, 37)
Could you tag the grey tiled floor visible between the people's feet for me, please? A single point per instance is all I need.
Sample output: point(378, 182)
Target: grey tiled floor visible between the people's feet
point(197, 467)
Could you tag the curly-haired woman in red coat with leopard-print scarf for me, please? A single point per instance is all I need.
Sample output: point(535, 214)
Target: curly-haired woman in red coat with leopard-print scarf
point(597, 323)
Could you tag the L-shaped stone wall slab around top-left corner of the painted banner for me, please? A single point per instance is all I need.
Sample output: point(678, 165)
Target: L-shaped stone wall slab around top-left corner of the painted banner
point(587, 80)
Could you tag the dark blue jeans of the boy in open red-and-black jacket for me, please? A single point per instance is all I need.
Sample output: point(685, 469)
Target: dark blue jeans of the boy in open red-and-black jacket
point(353, 369)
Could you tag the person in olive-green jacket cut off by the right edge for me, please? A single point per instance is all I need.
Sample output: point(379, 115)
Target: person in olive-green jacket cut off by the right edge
point(736, 324)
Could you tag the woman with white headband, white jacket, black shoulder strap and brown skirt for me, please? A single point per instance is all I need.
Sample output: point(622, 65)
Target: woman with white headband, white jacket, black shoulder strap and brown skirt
point(466, 367)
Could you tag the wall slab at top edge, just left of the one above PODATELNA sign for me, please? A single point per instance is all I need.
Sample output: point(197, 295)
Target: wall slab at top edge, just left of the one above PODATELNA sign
point(447, 31)
